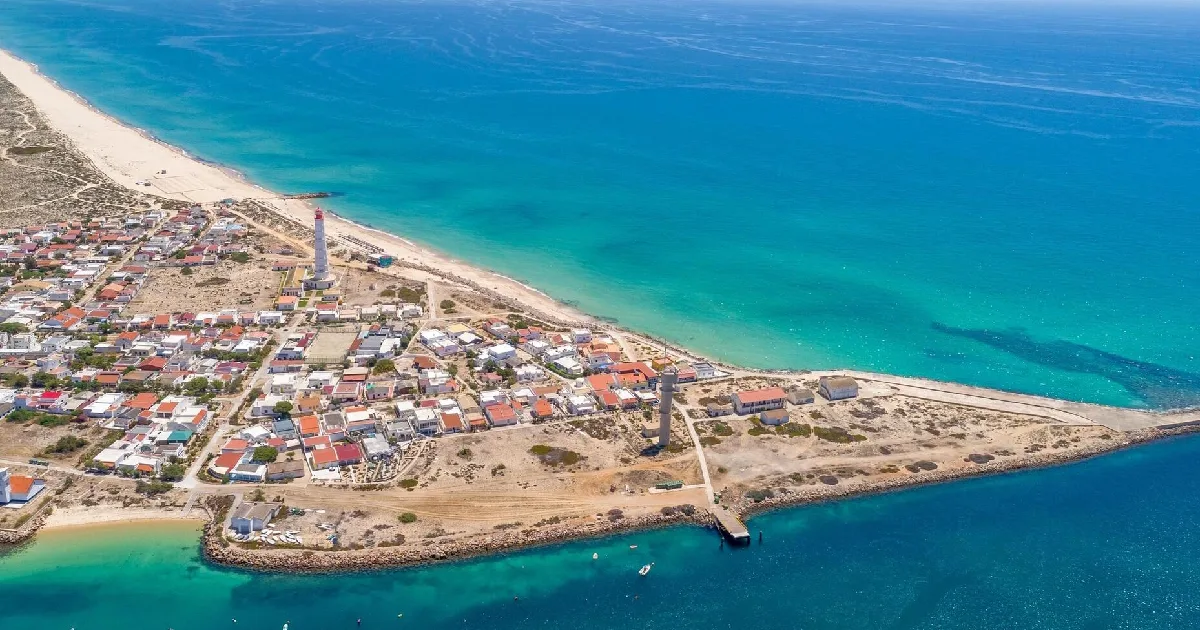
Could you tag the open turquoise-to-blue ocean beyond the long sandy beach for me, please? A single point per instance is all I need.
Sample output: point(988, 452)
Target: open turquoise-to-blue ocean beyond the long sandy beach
point(1000, 194)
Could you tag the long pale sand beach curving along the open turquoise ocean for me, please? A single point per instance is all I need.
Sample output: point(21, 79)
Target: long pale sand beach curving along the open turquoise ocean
point(130, 157)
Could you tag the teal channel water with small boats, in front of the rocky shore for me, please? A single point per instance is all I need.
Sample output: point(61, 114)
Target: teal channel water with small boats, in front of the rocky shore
point(1105, 544)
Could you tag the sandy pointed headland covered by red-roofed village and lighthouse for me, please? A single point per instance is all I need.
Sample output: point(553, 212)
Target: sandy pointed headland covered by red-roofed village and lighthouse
point(326, 397)
